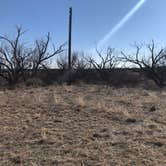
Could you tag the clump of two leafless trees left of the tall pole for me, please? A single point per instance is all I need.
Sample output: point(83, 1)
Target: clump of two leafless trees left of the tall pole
point(16, 59)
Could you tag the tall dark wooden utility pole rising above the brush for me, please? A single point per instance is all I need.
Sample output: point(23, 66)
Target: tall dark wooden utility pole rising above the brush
point(70, 37)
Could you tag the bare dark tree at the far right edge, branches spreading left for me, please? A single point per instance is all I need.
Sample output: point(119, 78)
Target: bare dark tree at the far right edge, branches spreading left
point(153, 65)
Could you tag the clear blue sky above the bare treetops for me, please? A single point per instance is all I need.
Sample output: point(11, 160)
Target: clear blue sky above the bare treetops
point(92, 20)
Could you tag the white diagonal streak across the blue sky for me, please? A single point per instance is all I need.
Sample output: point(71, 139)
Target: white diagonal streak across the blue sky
point(120, 24)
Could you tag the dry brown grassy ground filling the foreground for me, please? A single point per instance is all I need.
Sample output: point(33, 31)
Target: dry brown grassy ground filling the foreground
point(83, 125)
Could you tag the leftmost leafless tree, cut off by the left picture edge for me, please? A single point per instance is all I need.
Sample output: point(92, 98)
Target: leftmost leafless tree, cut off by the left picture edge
point(12, 57)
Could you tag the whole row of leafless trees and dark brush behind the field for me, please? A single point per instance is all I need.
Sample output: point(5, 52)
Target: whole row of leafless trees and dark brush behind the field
point(19, 63)
